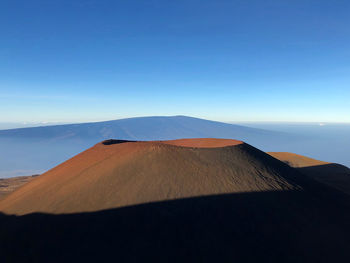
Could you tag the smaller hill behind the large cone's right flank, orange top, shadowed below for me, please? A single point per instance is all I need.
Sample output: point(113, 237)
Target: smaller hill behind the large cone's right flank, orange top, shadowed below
point(332, 174)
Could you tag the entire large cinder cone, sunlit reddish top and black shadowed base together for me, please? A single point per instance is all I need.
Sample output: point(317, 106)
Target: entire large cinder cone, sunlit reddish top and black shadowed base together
point(176, 201)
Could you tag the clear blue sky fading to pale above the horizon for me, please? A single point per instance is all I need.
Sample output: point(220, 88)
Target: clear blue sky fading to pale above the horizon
point(225, 60)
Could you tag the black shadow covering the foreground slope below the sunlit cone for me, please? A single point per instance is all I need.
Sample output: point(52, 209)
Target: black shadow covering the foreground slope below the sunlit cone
point(288, 226)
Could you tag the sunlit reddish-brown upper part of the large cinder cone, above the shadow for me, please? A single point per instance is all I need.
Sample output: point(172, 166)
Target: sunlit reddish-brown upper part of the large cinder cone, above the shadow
point(120, 173)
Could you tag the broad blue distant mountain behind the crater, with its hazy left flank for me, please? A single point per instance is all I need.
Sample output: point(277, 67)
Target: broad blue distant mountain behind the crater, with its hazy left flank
point(28, 151)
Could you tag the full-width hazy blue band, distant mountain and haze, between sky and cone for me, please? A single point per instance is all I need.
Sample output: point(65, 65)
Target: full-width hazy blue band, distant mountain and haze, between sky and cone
point(29, 151)
